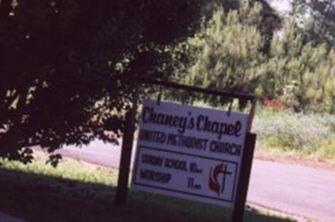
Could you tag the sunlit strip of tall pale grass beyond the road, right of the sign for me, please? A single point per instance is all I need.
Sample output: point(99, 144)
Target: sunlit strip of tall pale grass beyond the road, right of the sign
point(310, 135)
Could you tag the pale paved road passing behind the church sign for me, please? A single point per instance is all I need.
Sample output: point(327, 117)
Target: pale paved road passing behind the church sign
point(292, 189)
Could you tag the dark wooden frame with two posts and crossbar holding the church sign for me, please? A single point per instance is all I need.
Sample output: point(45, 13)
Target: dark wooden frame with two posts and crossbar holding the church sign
point(247, 155)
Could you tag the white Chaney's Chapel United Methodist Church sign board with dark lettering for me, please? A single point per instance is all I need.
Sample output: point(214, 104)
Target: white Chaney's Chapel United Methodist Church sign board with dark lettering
point(189, 152)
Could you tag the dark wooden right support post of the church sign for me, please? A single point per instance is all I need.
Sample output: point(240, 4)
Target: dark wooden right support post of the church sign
point(243, 181)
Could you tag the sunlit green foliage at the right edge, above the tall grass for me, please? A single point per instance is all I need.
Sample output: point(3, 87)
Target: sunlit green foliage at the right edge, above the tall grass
point(301, 75)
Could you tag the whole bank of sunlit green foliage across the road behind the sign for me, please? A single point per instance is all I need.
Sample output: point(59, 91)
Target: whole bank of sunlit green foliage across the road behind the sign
point(228, 53)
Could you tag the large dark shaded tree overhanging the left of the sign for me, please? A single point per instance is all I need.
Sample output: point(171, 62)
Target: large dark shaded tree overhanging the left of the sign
point(68, 68)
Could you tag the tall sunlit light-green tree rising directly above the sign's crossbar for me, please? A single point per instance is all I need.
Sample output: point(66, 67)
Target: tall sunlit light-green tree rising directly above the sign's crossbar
point(226, 52)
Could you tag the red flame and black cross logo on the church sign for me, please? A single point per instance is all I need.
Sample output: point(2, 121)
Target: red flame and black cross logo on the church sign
point(213, 181)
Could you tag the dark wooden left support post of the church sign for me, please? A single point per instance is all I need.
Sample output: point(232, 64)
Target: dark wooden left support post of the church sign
point(126, 151)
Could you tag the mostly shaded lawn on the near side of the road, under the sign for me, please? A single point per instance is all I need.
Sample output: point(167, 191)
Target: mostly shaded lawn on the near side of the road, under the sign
point(76, 191)
